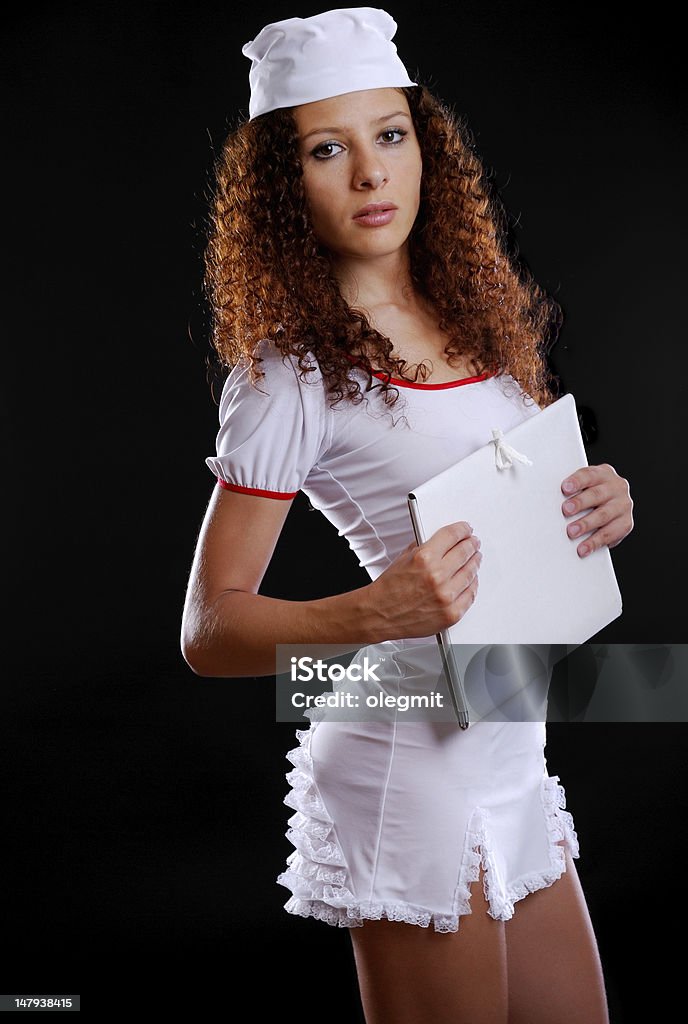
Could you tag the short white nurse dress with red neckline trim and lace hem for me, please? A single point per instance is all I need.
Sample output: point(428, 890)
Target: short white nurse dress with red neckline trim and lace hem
point(393, 819)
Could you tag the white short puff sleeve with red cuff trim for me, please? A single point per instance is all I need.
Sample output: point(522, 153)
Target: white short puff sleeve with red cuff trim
point(271, 439)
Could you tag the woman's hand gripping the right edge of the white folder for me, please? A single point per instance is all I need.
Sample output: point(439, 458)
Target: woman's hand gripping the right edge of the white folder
point(601, 490)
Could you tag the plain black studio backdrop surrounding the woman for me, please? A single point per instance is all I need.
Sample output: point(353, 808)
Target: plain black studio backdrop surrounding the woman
point(143, 822)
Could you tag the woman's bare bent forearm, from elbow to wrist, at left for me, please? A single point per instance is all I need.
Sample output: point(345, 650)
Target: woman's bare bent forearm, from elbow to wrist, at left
point(237, 636)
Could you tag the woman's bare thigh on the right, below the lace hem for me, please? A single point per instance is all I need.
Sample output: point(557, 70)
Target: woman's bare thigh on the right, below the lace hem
point(554, 970)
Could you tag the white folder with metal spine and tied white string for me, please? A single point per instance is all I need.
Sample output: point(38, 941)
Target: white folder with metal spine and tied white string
point(534, 589)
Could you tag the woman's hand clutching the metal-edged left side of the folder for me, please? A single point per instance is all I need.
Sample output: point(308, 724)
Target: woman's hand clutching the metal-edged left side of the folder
point(428, 587)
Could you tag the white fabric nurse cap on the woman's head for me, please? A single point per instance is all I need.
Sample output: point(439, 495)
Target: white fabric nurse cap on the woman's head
point(303, 60)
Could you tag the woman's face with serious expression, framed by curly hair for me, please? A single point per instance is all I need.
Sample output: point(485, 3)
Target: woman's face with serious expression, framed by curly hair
point(358, 149)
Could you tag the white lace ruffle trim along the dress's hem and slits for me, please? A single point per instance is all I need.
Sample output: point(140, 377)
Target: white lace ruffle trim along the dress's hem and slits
point(318, 875)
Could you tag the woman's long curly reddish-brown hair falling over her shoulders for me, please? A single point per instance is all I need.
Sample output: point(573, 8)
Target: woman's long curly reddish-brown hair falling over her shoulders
point(268, 277)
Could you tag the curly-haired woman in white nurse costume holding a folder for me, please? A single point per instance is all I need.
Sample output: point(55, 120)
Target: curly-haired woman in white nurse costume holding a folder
point(419, 837)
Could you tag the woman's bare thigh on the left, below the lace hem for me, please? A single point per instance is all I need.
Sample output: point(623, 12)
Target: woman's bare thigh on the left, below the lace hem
point(413, 975)
